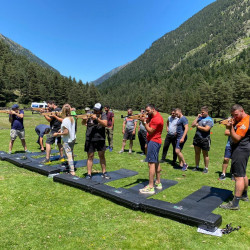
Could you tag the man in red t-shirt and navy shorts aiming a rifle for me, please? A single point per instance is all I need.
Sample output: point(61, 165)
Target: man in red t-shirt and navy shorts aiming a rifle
point(154, 125)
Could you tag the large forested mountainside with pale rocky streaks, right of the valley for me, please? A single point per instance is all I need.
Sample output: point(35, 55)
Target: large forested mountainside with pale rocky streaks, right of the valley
point(203, 62)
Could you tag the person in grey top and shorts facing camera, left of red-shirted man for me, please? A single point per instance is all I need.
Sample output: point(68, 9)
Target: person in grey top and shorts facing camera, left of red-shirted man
point(128, 130)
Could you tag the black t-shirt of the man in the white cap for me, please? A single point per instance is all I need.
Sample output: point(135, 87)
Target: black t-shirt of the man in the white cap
point(95, 131)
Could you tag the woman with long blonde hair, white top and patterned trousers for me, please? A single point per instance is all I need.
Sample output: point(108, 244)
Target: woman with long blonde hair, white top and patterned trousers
point(68, 135)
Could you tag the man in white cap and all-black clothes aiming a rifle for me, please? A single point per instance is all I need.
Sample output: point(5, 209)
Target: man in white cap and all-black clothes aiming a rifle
point(95, 140)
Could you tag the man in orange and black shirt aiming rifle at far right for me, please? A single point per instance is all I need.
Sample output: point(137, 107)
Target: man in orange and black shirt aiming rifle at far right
point(239, 128)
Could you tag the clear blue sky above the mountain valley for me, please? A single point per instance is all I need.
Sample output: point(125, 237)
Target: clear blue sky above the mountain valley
point(87, 38)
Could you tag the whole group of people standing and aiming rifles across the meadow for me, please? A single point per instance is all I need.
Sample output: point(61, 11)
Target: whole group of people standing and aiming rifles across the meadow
point(151, 124)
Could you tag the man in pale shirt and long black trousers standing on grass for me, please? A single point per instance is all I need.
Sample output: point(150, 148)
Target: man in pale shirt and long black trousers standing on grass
point(171, 137)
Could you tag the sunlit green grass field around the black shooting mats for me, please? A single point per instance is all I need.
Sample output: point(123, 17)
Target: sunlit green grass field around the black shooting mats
point(36, 213)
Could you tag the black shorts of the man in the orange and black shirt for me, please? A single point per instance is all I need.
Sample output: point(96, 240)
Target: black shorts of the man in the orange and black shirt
point(239, 162)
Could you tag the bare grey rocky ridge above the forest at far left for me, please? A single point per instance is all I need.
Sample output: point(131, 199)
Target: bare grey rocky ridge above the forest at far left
point(19, 50)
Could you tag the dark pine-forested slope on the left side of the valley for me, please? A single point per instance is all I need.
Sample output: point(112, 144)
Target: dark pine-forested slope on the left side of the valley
point(24, 81)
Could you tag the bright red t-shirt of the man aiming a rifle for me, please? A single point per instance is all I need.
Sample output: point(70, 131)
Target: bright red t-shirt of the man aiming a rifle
point(157, 123)
